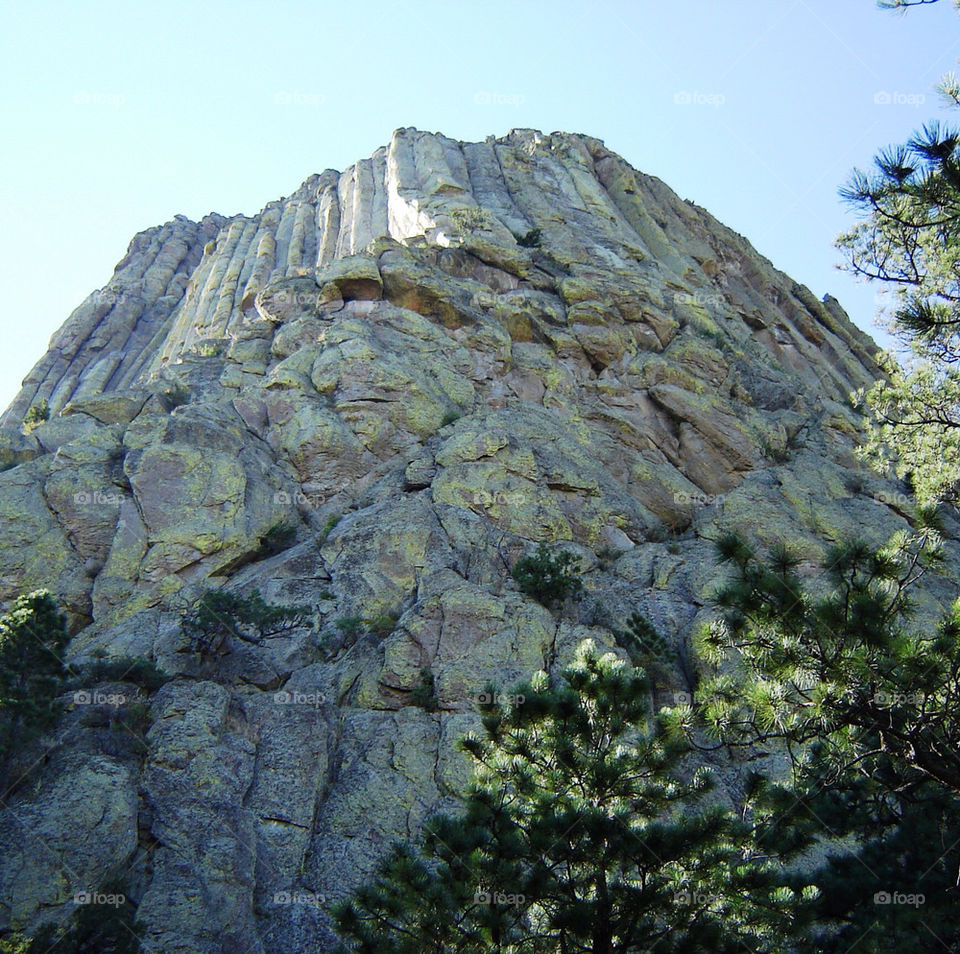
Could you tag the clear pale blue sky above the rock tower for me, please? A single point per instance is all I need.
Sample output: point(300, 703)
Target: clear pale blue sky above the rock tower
point(119, 115)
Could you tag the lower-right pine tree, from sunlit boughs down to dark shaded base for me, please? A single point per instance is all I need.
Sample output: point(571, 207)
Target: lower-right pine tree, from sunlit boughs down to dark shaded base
point(866, 704)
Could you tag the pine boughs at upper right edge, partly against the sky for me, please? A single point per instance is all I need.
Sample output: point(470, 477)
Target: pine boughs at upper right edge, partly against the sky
point(910, 241)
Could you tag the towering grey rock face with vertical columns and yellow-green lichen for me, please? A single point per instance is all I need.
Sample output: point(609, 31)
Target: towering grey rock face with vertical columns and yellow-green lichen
point(425, 365)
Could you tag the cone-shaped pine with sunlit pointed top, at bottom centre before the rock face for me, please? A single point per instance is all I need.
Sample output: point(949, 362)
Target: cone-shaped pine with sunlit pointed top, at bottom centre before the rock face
point(579, 833)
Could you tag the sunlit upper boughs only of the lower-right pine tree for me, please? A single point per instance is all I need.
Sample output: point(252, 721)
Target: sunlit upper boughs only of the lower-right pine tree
point(843, 669)
